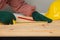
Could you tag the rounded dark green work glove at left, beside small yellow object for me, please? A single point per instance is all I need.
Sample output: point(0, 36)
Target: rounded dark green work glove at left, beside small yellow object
point(7, 17)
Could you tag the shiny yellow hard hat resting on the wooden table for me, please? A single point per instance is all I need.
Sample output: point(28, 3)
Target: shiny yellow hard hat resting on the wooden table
point(54, 10)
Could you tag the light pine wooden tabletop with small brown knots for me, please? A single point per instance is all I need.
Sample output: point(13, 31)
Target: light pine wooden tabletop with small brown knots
point(31, 29)
